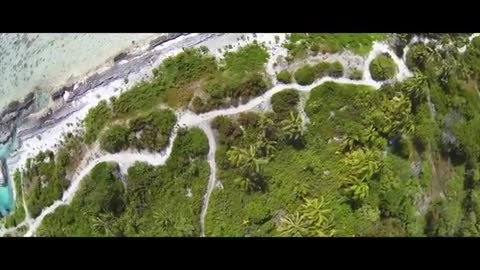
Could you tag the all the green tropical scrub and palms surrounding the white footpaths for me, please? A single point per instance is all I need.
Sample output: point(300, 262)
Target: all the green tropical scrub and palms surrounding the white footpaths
point(401, 160)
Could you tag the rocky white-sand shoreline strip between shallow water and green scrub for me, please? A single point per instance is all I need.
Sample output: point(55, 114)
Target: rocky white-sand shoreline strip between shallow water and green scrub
point(24, 119)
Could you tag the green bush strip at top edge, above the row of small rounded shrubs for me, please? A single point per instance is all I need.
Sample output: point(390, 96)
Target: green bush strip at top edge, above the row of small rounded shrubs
point(299, 44)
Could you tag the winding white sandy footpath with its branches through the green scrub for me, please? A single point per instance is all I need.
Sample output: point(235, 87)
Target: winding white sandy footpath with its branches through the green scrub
point(189, 119)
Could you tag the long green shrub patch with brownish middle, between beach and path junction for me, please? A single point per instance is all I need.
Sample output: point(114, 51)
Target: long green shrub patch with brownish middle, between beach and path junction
point(178, 81)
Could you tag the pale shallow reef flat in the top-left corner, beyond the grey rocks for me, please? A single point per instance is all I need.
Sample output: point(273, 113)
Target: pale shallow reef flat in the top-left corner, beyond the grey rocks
point(45, 62)
